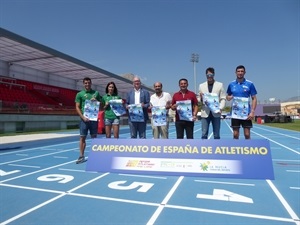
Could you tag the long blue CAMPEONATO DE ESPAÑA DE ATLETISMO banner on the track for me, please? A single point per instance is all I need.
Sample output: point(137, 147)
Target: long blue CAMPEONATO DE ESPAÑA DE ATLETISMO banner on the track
point(247, 159)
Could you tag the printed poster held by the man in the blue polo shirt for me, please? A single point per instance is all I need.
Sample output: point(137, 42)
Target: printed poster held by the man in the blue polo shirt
point(240, 108)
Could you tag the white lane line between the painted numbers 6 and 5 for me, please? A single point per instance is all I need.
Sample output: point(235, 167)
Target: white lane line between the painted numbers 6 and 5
point(49, 201)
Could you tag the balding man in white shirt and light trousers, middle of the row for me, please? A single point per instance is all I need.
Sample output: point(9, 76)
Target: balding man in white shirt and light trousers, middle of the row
point(160, 99)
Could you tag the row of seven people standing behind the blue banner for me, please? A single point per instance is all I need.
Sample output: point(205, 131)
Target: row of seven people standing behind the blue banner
point(240, 87)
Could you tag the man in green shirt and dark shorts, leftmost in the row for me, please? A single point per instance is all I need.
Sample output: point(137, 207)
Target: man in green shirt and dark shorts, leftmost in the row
point(87, 124)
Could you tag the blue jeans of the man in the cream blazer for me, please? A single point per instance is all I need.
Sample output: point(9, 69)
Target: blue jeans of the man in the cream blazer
point(216, 124)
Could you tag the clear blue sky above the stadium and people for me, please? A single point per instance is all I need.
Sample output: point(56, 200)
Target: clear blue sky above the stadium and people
point(154, 39)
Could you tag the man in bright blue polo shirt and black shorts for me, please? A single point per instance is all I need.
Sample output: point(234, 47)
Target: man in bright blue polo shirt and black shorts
point(241, 90)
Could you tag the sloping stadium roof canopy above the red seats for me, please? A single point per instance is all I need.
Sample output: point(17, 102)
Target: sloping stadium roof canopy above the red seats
point(19, 50)
